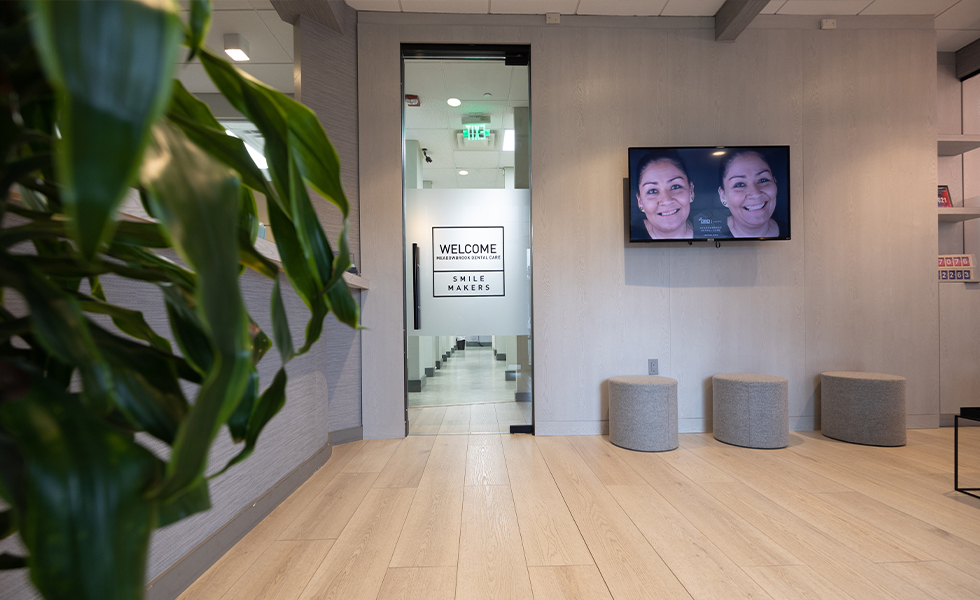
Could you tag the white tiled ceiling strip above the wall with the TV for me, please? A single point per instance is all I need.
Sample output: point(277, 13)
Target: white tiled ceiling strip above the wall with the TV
point(957, 21)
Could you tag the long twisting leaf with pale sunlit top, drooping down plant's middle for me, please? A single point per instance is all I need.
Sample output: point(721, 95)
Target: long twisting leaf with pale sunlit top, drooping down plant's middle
point(197, 200)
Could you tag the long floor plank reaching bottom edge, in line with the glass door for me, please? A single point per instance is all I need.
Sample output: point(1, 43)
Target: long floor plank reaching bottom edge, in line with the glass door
point(491, 557)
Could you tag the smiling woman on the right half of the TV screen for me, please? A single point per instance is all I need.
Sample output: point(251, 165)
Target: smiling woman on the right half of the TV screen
point(748, 189)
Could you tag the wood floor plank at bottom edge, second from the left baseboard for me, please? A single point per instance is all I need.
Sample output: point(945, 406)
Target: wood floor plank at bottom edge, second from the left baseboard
point(281, 572)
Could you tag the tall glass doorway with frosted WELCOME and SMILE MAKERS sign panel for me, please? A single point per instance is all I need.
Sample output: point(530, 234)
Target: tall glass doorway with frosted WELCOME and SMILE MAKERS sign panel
point(467, 175)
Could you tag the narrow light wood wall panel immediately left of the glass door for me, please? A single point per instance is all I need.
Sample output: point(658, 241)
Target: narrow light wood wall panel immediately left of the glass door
point(380, 159)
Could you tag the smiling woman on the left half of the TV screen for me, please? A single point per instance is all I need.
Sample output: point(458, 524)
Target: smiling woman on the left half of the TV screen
point(664, 194)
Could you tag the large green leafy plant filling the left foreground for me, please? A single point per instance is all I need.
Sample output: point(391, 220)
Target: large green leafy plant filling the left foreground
point(89, 110)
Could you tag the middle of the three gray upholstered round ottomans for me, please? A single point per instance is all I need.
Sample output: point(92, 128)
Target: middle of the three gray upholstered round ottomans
point(751, 410)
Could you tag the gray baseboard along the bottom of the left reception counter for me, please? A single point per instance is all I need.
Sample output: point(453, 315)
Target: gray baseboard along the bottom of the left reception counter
point(171, 583)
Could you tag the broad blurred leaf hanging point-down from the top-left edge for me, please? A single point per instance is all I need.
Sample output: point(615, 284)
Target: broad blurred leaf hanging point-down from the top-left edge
point(107, 104)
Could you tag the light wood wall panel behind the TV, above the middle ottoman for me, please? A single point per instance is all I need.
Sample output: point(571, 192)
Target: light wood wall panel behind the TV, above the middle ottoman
point(738, 308)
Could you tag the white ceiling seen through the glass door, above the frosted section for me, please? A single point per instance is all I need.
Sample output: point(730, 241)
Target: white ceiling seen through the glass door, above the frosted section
point(435, 124)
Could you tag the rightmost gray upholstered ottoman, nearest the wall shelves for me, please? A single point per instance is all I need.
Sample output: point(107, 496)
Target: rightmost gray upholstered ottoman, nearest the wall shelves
point(863, 408)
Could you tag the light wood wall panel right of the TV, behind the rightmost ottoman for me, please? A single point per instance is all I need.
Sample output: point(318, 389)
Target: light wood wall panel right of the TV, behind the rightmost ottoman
point(871, 288)
